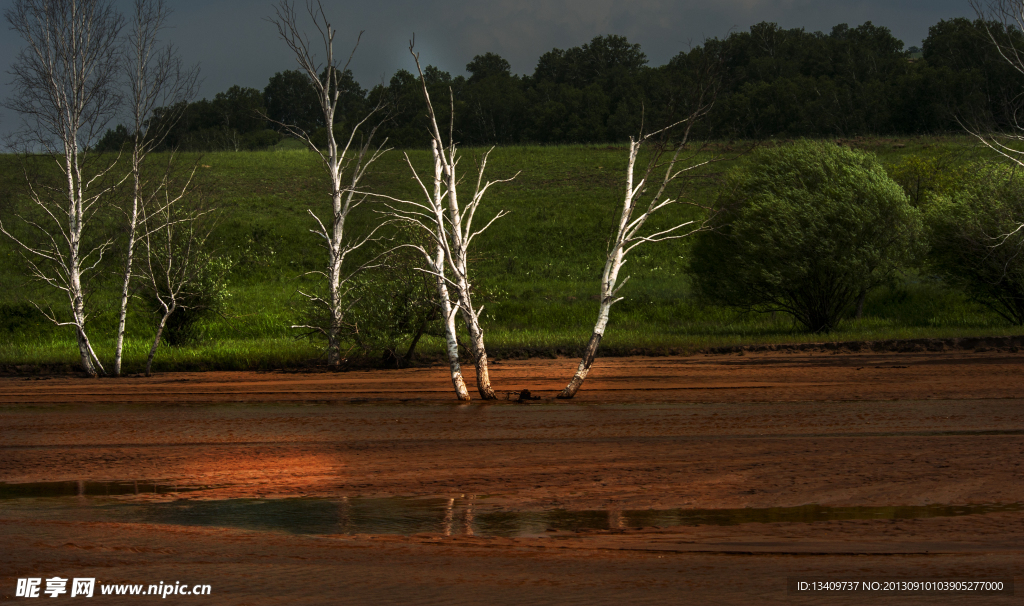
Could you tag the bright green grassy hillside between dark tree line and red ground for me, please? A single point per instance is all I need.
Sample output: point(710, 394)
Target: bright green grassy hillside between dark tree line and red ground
point(537, 271)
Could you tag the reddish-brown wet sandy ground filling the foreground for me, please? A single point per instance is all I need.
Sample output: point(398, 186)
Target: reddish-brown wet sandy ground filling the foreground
point(708, 432)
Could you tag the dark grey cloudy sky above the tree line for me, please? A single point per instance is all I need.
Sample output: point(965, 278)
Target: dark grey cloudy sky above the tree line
point(235, 46)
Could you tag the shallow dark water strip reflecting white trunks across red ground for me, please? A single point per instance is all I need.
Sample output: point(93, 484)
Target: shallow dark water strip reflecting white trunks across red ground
point(464, 516)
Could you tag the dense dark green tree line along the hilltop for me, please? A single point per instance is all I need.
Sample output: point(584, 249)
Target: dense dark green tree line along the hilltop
point(775, 83)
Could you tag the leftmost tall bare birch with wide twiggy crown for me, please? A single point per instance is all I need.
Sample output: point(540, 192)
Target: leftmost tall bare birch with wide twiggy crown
point(65, 91)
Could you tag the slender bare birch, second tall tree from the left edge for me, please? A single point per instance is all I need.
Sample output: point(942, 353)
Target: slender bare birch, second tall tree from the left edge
point(156, 78)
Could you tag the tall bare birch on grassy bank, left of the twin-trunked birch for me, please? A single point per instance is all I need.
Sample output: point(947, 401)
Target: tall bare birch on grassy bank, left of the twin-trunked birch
point(347, 163)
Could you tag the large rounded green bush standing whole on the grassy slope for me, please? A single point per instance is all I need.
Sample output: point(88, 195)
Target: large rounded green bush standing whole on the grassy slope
point(805, 230)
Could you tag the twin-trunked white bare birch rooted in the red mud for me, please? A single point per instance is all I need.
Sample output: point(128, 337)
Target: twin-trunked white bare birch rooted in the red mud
point(450, 225)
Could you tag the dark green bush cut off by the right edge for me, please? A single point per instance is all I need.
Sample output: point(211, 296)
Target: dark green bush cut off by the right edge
point(977, 242)
